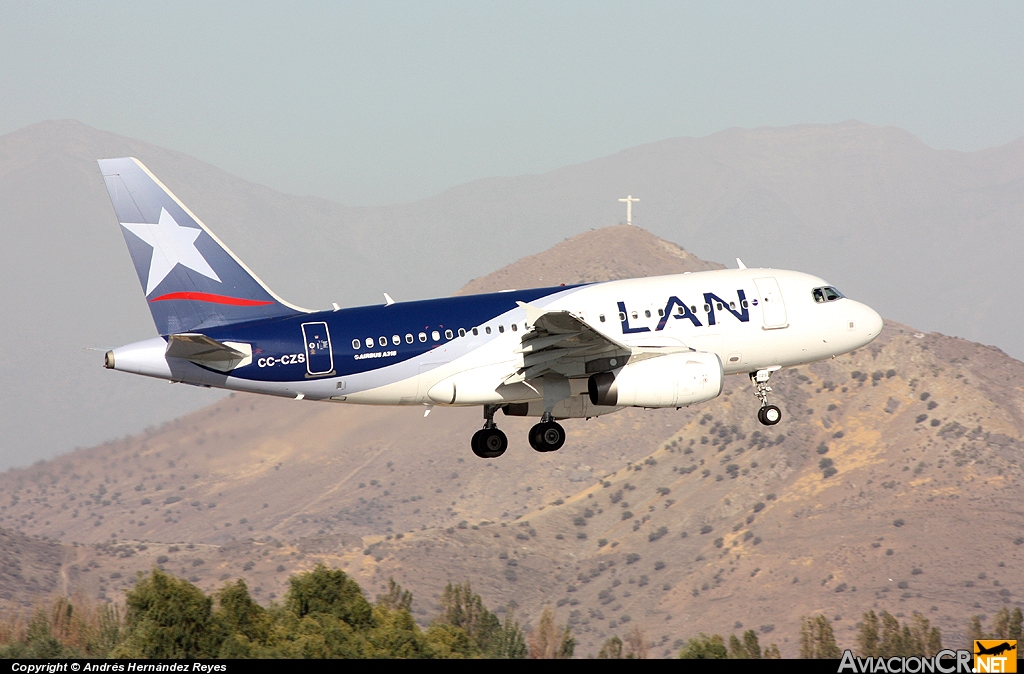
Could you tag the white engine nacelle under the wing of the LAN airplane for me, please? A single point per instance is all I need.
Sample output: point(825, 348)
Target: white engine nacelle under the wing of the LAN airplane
point(665, 382)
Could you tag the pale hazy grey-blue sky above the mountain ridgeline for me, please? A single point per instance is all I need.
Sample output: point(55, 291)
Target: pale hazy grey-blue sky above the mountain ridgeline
point(369, 103)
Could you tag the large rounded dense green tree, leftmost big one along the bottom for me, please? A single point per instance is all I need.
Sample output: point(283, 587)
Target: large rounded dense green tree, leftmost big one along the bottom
point(168, 618)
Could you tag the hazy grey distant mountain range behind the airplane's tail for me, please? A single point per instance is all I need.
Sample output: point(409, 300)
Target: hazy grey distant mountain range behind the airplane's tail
point(926, 237)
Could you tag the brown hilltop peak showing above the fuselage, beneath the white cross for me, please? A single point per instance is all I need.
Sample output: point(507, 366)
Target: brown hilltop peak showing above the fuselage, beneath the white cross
point(608, 255)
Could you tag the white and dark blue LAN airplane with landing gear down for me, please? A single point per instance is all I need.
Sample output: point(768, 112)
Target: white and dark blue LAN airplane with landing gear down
point(563, 353)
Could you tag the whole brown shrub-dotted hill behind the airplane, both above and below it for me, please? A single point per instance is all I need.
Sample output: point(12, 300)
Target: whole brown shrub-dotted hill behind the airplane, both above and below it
point(902, 461)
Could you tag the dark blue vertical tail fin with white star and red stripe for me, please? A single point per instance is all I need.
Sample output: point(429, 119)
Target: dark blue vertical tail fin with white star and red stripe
point(192, 281)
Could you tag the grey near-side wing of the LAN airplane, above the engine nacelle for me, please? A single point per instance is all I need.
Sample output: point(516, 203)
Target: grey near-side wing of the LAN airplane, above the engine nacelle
point(564, 344)
